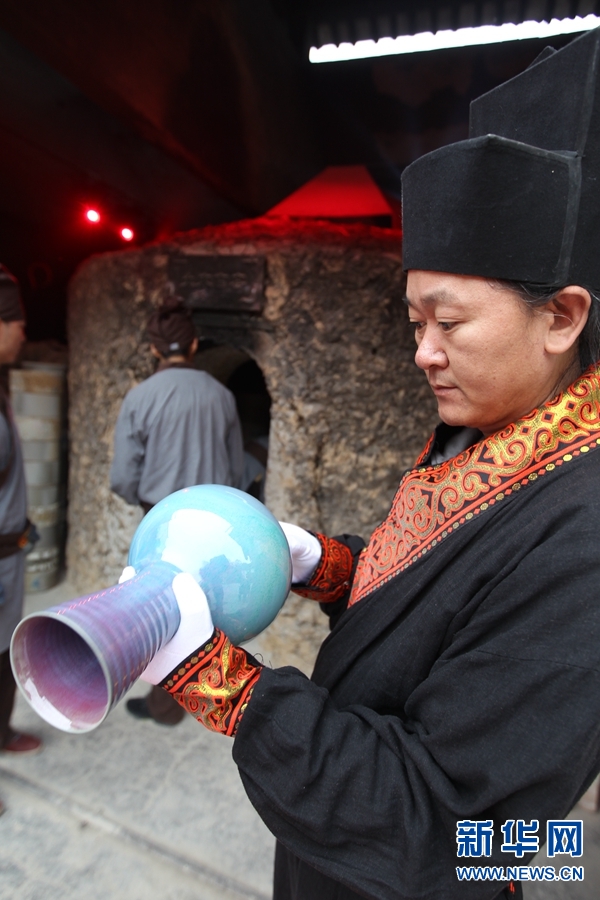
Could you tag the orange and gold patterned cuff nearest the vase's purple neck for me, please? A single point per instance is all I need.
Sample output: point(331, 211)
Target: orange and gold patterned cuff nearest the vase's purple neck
point(215, 684)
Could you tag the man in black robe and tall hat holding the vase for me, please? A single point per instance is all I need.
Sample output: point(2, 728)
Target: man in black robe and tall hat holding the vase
point(453, 715)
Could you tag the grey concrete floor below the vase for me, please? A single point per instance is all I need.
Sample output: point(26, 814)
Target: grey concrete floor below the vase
point(136, 811)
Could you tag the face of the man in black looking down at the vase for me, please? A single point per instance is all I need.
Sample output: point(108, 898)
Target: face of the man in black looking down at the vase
point(484, 353)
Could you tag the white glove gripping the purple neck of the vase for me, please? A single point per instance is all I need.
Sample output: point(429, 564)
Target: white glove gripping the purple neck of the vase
point(195, 628)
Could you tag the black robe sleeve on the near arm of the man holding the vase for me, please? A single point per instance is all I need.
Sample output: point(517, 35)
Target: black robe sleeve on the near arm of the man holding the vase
point(506, 724)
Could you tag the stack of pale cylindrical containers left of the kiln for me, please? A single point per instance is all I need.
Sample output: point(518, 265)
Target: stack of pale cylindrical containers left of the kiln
point(39, 405)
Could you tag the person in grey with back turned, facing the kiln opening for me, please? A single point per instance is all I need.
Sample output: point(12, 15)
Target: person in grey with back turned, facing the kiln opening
point(178, 428)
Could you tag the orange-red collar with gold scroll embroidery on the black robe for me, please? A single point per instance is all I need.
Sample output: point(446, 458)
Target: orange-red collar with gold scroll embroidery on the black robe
point(433, 501)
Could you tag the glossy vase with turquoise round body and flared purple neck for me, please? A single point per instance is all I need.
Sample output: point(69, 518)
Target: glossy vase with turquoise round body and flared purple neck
point(75, 661)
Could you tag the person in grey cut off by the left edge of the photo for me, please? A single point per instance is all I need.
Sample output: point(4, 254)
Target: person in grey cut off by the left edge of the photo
point(13, 517)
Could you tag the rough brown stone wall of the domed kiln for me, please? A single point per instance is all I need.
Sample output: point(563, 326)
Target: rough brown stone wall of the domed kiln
point(349, 413)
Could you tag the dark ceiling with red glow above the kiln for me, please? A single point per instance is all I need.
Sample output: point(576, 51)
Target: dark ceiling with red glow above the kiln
point(171, 114)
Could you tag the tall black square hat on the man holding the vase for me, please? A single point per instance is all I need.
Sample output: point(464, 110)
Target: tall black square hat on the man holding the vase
point(520, 199)
